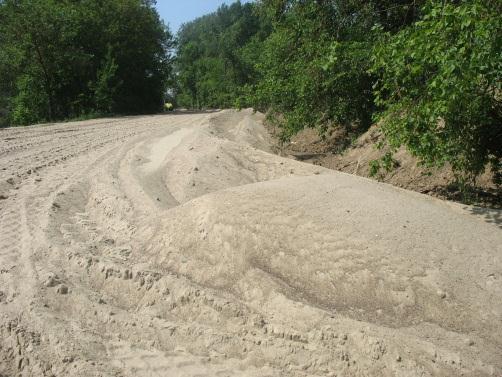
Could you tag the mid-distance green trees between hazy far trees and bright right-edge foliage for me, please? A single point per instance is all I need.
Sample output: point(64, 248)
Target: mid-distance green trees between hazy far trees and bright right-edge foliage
point(314, 65)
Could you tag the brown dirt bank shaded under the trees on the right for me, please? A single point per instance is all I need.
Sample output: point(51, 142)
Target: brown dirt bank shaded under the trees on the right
point(335, 151)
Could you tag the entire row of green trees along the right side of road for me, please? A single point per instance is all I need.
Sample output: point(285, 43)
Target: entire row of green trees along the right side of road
point(429, 72)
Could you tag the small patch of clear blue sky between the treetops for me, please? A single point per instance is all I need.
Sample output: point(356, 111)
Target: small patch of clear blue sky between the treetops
point(176, 12)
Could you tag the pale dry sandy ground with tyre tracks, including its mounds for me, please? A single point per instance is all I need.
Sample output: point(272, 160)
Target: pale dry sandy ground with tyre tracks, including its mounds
point(178, 245)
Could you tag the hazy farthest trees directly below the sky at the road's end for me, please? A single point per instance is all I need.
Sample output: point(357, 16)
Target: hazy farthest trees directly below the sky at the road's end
point(214, 57)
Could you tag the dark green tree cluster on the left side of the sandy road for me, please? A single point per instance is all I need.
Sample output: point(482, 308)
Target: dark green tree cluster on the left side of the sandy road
point(62, 59)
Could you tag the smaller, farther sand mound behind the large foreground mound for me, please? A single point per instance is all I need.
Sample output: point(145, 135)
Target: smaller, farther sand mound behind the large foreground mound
point(208, 161)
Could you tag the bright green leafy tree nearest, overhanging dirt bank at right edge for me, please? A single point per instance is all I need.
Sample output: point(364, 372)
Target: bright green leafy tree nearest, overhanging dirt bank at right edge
point(439, 86)
